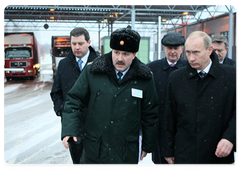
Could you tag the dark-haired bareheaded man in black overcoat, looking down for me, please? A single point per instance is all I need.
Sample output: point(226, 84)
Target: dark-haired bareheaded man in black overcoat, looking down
point(67, 73)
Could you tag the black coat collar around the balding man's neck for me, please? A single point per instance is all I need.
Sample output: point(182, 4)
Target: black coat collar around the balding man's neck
point(213, 70)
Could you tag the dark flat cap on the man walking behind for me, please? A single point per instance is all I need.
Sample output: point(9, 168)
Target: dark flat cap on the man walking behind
point(173, 39)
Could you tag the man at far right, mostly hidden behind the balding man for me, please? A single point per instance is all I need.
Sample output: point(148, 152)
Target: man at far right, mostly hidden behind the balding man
point(220, 46)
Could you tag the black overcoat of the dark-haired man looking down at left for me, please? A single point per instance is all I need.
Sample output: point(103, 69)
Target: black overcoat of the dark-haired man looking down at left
point(67, 74)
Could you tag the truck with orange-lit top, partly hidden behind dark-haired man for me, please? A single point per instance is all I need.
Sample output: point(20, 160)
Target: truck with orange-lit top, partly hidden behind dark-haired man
point(61, 45)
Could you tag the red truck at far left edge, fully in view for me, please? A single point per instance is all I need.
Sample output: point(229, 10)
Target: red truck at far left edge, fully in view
point(22, 55)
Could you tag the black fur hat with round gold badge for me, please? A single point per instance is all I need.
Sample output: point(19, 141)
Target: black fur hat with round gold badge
point(125, 39)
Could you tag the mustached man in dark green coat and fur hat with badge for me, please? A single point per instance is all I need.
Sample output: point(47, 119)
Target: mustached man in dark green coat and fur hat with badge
point(120, 94)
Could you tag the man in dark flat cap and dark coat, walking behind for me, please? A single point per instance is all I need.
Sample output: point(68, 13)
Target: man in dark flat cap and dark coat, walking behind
point(173, 44)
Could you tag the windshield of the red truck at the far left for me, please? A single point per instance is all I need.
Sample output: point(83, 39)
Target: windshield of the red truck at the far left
point(18, 53)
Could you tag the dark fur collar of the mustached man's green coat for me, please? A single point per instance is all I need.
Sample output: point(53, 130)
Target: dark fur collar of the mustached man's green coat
point(104, 65)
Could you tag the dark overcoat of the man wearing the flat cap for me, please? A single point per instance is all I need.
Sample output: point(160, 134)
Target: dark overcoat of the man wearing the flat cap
point(161, 71)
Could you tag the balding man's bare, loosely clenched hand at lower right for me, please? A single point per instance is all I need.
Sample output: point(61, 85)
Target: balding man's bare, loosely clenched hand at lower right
point(224, 148)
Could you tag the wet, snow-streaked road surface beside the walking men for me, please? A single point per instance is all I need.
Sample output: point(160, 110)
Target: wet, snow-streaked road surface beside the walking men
point(30, 129)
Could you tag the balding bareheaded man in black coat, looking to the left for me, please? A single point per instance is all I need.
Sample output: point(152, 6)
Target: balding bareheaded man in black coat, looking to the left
point(200, 113)
